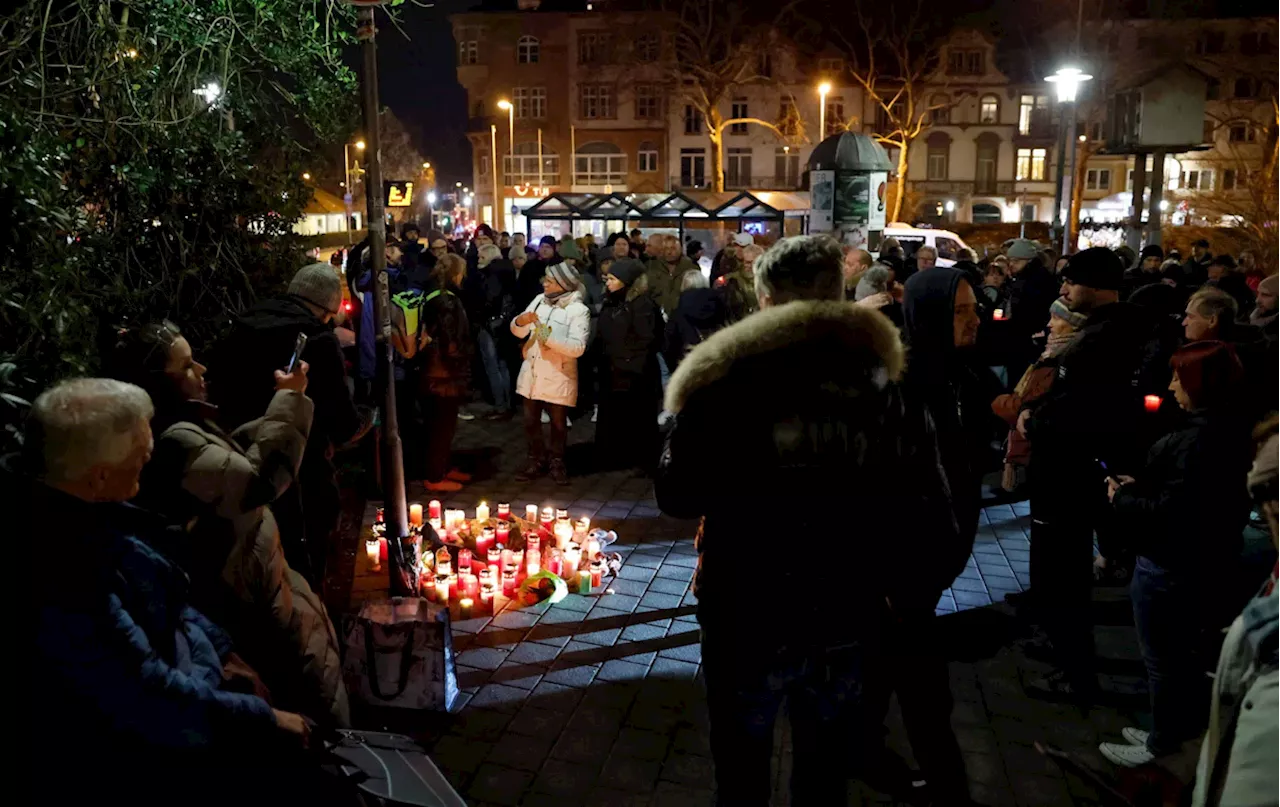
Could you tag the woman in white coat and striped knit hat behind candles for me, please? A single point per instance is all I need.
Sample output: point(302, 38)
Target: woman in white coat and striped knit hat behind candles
point(557, 327)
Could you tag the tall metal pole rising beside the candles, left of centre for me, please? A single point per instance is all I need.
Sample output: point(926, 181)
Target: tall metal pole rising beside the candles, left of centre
point(400, 569)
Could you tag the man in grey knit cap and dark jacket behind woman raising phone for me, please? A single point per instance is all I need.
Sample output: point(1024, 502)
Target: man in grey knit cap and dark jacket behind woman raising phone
point(262, 343)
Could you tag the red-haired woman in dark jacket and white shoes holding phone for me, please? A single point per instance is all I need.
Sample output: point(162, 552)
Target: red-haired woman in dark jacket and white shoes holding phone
point(1186, 512)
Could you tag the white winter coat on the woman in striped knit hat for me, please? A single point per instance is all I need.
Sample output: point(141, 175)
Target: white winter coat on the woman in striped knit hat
point(550, 372)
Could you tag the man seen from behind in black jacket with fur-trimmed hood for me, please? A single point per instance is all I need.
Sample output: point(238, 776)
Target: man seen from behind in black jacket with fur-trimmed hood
point(788, 425)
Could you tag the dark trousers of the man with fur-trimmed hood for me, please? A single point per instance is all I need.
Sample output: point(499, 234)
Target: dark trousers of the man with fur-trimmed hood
point(746, 687)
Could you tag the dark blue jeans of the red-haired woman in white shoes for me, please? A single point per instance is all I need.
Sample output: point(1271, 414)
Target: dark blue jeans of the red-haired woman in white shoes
point(1168, 614)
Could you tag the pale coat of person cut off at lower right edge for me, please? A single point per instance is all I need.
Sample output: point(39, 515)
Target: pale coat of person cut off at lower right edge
point(1241, 753)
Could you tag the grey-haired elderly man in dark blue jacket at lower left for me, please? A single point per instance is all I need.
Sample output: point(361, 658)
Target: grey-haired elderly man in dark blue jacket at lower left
point(131, 671)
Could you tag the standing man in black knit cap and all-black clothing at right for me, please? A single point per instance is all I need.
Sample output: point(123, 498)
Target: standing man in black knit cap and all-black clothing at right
point(1091, 417)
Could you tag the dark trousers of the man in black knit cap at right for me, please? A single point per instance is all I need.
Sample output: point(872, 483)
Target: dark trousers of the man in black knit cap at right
point(1067, 499)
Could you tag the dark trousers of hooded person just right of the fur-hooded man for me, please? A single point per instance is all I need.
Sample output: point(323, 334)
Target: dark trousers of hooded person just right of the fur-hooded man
point(918, 673)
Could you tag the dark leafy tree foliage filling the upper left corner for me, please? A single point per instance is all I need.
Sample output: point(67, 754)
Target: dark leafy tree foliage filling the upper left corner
point(150, 161)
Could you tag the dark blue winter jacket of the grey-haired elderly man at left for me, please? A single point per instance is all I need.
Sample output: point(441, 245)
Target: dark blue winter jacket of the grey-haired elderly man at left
point(124, 665)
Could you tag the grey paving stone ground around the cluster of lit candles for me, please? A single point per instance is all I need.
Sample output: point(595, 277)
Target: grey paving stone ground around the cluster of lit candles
point(598, 699)
